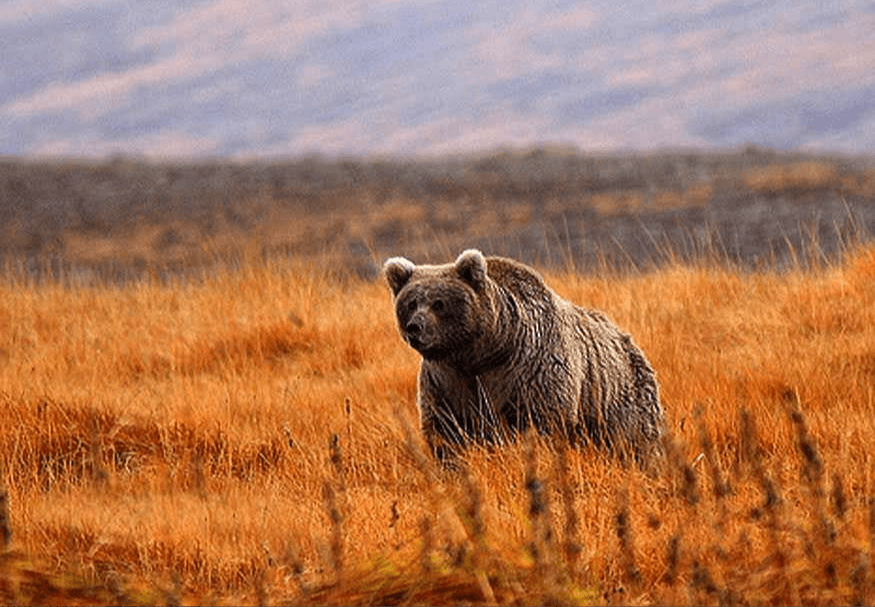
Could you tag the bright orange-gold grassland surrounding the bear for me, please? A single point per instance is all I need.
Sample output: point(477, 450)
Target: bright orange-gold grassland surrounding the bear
point(251, 437)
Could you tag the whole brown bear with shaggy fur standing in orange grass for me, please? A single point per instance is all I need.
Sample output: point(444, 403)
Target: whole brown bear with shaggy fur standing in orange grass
point(501, 352)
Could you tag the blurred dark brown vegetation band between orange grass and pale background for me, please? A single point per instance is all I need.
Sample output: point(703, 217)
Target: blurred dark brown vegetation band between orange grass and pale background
point(551, 208)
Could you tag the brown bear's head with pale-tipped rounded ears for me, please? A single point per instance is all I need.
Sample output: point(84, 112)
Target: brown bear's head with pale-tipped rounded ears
point(443, 311)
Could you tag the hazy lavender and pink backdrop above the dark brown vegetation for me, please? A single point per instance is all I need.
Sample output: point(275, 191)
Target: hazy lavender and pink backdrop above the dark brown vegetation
point(270, 78)
